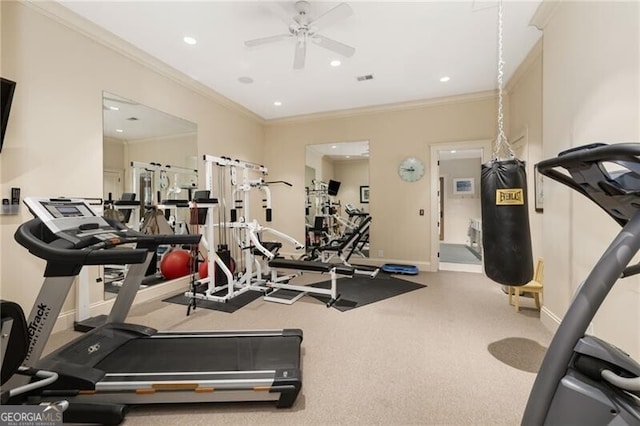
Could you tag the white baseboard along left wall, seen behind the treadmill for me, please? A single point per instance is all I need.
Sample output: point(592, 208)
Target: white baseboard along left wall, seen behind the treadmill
point(66, 320)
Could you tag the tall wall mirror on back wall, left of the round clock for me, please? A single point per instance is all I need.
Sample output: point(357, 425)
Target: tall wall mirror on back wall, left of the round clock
point(336, 193)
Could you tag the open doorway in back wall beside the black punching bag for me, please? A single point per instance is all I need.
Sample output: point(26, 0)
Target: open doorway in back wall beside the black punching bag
point(456, 167)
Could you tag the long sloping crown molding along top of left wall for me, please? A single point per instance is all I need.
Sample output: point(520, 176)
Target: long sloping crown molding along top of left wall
point(77, 23)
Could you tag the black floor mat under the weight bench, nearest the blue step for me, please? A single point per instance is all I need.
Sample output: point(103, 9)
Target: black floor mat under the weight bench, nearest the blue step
point(360, 291)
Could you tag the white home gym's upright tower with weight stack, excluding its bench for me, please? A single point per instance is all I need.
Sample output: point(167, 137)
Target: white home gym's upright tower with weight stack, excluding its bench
point(233, 243)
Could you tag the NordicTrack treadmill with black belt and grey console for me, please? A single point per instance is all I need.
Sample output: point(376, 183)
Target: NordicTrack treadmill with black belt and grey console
point(121, 363)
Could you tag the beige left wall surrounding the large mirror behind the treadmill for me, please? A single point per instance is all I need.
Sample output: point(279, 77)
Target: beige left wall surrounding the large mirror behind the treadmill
point(53, 144)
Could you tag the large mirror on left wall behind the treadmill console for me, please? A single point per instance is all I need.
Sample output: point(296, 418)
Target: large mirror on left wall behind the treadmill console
point(148, 156)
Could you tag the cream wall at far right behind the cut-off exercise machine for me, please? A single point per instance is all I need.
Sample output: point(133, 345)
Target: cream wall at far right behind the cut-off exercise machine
point(591, 93)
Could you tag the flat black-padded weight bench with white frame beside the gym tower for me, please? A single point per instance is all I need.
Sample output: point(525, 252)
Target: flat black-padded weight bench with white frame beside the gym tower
point(289, 293)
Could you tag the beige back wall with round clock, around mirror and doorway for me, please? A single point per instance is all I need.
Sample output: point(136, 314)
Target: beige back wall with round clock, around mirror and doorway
point(393, 134)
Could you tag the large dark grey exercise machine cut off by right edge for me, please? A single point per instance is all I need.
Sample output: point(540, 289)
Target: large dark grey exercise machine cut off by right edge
point(584, 380)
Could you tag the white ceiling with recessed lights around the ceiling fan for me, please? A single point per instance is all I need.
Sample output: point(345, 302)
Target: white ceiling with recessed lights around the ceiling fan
point(406, 46)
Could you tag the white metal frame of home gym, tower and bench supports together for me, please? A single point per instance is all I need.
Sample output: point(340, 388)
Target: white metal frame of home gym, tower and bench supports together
point(247, 234)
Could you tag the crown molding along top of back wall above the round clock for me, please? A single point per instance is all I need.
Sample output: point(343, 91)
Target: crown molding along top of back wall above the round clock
point(401, 106)
